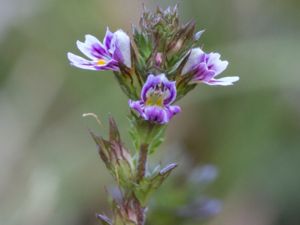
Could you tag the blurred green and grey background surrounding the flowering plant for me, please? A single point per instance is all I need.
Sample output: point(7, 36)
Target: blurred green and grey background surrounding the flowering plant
point(50, 172)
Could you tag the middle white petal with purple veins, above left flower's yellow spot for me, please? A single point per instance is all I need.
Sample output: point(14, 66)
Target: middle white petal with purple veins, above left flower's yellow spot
point(92, 48)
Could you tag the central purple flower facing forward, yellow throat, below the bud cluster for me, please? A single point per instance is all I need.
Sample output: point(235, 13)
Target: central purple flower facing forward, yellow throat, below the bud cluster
point(157, 95)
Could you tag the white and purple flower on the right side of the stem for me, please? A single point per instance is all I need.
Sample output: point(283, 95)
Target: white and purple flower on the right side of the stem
point(206, 67)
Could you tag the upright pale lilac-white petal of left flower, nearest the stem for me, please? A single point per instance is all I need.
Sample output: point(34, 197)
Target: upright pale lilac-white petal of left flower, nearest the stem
point(122, 48)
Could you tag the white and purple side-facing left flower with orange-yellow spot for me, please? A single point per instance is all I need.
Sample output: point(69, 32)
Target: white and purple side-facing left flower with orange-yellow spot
point(103, 56)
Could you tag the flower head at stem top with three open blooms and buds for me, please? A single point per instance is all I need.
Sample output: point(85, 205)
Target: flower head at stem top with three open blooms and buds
point(158, 88)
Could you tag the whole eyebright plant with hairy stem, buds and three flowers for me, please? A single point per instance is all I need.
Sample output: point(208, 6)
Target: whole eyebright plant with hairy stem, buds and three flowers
point(159, 65)
